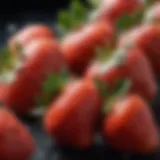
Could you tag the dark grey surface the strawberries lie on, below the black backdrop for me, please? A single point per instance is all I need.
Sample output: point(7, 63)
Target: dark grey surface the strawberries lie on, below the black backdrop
point(46, 148)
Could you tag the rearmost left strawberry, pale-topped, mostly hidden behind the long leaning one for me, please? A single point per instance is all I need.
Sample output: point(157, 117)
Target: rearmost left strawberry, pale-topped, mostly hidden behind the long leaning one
point(27, 34)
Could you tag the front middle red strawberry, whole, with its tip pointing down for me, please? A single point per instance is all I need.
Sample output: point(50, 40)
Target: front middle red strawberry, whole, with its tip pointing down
point(72, 119)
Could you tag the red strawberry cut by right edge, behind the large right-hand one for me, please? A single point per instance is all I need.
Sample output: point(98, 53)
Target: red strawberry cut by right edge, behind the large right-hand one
point(147, 38)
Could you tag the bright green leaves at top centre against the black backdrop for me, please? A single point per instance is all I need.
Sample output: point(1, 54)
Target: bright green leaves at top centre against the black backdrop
point(77, 15)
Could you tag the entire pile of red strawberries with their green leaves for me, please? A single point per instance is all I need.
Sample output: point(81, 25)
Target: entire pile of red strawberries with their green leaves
point(98, 76)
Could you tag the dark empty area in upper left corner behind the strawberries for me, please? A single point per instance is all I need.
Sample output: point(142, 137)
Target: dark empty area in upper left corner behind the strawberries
point(18, 13)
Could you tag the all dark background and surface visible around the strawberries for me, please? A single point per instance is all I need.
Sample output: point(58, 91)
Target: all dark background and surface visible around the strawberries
point(18, 13)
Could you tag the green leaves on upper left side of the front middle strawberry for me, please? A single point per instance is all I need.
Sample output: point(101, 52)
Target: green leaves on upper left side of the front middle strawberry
point(51, 87)
